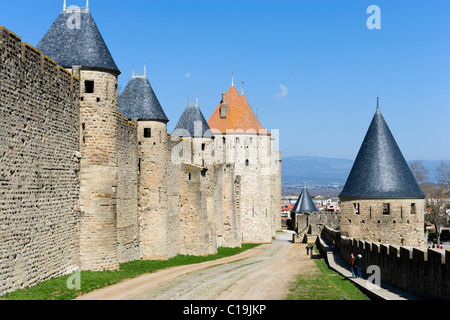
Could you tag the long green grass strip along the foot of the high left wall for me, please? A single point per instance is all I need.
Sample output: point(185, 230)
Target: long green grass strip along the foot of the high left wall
point(56, 289)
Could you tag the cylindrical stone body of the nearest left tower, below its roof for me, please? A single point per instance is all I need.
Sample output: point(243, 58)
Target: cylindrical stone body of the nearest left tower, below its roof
point(99, 172)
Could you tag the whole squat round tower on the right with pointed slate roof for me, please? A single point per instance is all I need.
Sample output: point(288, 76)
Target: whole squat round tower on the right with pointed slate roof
point(381, 201)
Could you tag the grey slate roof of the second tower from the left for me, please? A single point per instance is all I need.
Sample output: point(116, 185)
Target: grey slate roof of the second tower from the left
point(138, 100)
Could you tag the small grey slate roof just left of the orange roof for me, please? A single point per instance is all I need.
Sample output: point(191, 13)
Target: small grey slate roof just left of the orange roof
point(192, 124)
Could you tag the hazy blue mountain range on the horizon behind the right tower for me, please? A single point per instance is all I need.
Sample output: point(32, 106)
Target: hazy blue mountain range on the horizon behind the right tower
point(315, 171)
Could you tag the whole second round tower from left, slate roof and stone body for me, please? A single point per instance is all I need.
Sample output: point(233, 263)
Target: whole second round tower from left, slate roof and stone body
point(138, 101)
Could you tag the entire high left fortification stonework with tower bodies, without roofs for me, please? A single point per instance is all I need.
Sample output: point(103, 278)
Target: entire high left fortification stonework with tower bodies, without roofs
point(83, 188)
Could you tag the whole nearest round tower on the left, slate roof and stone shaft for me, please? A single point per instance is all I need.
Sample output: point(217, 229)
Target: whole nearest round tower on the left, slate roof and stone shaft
point(75, 43)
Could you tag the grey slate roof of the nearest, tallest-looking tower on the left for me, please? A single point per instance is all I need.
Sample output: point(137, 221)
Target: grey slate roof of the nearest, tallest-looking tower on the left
point(74, 40)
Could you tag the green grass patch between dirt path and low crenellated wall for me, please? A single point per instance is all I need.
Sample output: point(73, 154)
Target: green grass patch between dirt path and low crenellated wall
point(324, 284)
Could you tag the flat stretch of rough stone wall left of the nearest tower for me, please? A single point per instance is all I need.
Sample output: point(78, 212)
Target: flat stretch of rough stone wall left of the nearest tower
point(39, 165)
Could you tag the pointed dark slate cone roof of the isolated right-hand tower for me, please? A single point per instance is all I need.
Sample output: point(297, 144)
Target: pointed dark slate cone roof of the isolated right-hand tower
point(380, 170)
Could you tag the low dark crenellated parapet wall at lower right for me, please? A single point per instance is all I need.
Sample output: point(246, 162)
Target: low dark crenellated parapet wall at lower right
point(424, 273)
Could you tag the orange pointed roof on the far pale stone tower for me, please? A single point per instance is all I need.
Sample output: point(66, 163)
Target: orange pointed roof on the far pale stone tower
point(240, 117)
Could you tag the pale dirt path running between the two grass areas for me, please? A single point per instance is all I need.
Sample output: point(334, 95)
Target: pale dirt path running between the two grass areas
point(263, 273)
